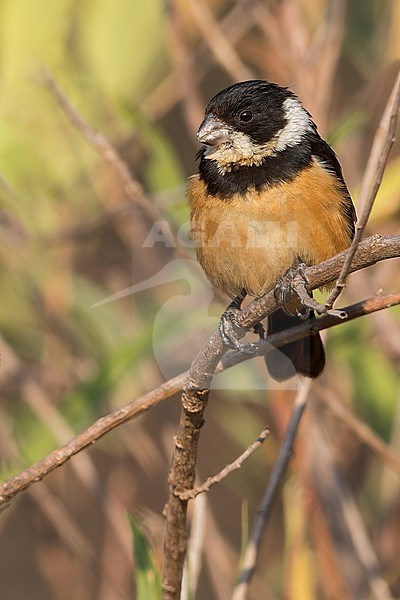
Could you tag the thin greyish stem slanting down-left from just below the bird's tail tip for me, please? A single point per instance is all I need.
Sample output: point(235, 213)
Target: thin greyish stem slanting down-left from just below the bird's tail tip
point(264, 510)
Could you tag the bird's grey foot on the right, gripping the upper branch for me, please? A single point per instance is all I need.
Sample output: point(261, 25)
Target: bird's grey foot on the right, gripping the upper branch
point(295, 280)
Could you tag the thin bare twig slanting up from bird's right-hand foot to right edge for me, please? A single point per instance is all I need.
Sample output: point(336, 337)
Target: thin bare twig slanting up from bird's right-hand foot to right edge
point(383, 143)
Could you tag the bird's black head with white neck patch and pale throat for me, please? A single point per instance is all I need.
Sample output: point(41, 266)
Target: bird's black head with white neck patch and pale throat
point(251, 120)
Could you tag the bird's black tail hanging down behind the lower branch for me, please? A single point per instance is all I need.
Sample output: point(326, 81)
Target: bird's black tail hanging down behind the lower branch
point(305, 356)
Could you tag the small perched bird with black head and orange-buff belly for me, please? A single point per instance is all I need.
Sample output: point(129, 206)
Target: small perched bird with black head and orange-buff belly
point(269, 196)
